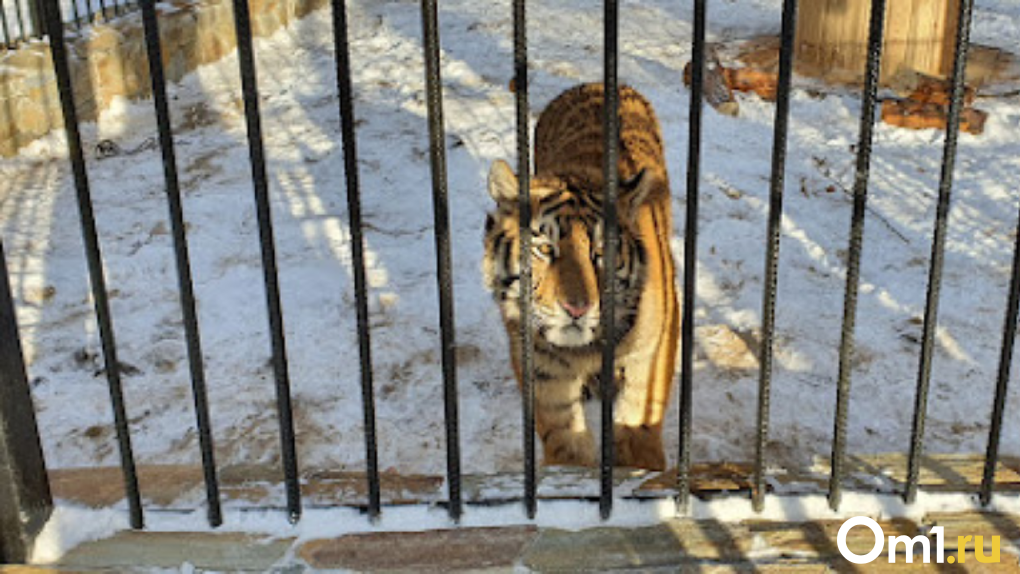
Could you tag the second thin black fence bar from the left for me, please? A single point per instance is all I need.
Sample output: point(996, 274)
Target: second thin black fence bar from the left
point(185, 288)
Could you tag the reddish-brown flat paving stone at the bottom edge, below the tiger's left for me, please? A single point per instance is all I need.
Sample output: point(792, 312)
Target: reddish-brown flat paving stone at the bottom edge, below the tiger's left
point(436, 551)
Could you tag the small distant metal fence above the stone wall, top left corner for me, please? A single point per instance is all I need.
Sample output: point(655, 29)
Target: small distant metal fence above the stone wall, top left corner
point(21, 21)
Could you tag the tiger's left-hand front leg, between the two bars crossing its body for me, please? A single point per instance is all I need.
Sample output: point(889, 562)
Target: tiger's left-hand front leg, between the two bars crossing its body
point(559, 421)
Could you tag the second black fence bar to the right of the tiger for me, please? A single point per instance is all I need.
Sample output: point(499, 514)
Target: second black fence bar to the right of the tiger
point(773, 243)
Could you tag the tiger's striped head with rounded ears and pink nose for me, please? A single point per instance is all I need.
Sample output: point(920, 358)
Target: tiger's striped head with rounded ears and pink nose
point(567, 254)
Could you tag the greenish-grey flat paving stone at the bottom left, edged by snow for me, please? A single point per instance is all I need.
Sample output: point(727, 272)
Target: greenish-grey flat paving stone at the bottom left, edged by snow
point(231, 552)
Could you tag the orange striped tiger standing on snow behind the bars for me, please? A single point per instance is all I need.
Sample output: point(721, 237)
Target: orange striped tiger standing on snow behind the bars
point(567, 201)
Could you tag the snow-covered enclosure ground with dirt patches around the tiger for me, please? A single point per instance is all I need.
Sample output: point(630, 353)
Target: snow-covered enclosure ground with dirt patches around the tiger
point(41, 234)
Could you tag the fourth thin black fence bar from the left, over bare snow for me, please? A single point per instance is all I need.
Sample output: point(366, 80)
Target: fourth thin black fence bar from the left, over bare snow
point(346, 91)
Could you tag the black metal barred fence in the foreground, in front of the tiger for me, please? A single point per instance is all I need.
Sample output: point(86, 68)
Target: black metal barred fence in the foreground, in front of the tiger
point(25, 494)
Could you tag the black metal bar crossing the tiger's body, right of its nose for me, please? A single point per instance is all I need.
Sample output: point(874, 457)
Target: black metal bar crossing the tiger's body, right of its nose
point(610, 243)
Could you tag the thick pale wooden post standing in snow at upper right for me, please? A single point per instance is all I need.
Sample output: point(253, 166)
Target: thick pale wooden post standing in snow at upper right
point(921, 36)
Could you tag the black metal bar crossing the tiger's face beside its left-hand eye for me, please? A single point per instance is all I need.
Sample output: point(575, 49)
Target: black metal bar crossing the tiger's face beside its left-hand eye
point(525, 208)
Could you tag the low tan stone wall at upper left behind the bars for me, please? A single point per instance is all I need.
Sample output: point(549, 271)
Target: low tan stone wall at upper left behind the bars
point(110, 61)
